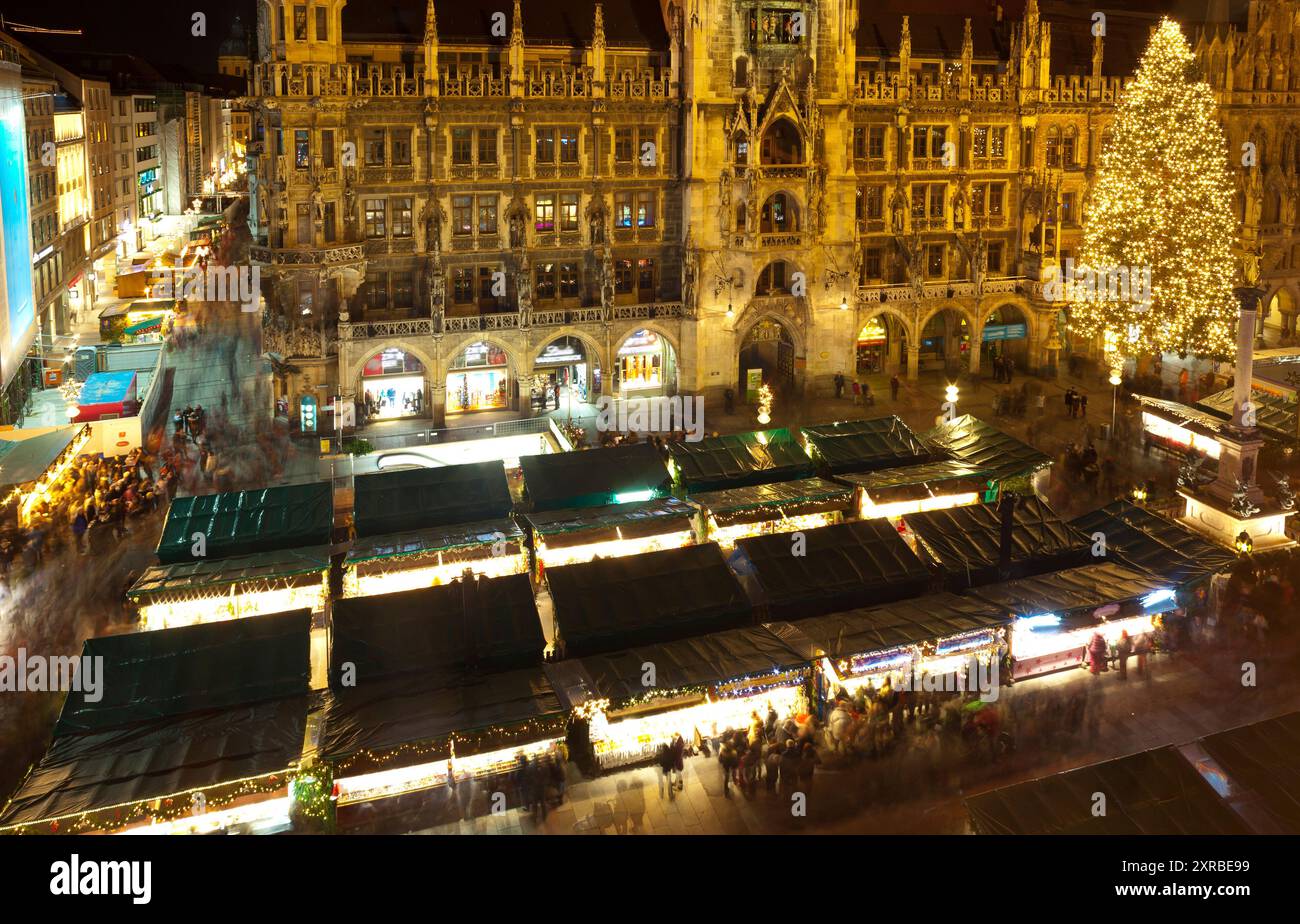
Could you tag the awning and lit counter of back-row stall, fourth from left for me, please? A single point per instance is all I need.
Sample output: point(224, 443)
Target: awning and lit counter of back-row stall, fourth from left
point(762, 510)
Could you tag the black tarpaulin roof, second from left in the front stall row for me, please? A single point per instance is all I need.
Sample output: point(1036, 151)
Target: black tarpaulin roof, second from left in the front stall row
point(489, 623)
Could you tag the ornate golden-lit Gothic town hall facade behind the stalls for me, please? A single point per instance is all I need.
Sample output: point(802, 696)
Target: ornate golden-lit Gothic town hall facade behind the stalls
point(456, 209)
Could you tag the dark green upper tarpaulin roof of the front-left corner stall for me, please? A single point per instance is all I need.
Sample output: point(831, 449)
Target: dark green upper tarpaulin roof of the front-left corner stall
point(171, 673)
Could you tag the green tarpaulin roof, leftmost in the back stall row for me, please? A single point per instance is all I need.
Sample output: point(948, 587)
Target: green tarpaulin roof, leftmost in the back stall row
point(245, 523)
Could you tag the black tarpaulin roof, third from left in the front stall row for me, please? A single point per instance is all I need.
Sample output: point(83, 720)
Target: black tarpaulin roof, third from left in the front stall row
point(656, 597)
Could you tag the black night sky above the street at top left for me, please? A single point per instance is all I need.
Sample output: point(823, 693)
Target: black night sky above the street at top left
point(158, 32)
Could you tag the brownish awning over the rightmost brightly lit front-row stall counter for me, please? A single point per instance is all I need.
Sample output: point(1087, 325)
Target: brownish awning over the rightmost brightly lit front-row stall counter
point(1074, 591)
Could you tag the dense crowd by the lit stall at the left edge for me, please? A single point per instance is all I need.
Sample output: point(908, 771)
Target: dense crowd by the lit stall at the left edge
point(96, 504)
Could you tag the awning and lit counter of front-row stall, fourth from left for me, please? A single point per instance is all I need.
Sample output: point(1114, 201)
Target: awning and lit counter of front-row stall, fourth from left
point(907, 641)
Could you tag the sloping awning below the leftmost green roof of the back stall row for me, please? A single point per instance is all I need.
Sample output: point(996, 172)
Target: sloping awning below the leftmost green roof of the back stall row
point(206, 579)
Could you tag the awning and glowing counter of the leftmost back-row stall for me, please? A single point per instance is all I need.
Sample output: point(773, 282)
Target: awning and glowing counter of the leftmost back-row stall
point(213, 591)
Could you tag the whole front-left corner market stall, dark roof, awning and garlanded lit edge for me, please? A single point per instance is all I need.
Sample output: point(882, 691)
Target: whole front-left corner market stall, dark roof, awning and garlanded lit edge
point(197, 730)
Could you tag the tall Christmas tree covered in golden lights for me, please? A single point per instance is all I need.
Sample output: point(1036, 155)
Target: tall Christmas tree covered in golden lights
point(1162, 203)
